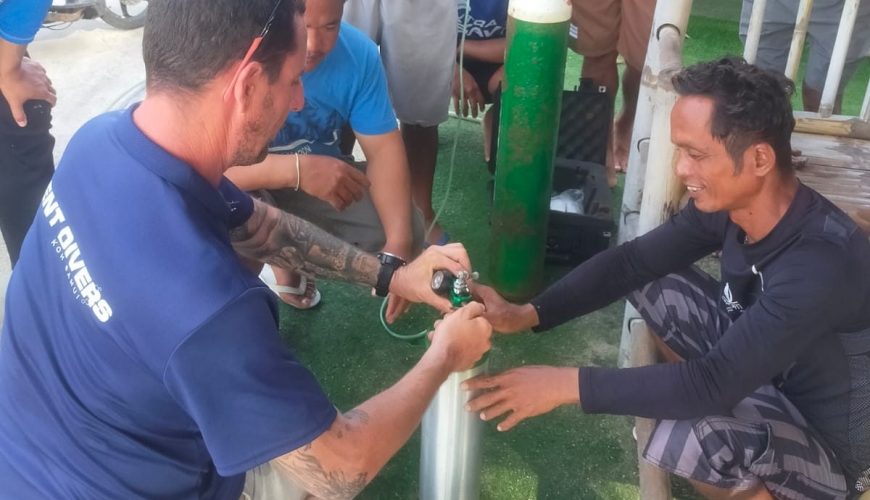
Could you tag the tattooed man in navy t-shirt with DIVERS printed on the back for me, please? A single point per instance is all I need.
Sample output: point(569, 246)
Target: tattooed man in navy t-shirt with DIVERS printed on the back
point(139, 358)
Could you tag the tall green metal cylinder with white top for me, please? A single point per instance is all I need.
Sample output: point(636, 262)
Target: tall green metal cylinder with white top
point(531, 100)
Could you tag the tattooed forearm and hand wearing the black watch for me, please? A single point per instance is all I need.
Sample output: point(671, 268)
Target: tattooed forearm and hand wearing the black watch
point(275, 237)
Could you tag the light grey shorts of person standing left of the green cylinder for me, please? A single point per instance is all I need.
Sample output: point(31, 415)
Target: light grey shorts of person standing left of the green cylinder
point(418, 45)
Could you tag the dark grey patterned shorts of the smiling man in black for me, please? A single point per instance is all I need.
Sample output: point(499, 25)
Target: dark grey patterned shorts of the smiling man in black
point(764, 440)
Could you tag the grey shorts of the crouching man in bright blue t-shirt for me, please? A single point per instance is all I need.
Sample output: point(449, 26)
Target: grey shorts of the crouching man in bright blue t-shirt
point(359, 224)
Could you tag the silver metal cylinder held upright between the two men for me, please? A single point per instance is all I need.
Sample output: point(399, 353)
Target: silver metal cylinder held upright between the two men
point(451, 449)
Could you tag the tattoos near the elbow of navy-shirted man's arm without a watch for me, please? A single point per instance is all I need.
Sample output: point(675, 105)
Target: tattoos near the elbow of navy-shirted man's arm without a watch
point(321, 481)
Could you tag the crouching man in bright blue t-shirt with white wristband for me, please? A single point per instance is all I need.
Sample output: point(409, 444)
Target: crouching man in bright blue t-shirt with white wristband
point(305, 172)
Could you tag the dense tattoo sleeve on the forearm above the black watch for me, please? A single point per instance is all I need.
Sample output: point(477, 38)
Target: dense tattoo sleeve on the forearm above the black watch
point(275, 237)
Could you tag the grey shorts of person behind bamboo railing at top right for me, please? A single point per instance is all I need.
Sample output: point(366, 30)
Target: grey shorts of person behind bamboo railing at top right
point(778, 26)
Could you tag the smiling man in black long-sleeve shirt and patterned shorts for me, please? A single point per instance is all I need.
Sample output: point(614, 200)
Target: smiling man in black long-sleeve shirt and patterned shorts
point(769, 394)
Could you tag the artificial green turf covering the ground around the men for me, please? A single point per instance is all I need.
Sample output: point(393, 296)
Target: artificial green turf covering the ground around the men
point(562, 455)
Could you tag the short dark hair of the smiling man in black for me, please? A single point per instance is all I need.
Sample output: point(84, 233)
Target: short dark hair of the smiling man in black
point(750, 105)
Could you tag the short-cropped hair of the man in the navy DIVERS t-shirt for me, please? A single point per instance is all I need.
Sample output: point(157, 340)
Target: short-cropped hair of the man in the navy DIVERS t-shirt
point(186, 43)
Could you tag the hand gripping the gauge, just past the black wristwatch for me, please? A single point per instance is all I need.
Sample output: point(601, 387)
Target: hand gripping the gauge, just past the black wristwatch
point(413, 282)
